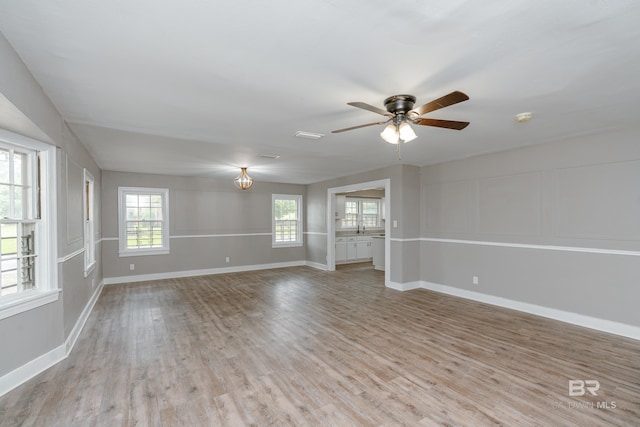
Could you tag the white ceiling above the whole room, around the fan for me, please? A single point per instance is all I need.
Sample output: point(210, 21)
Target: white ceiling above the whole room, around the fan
point(203, 87)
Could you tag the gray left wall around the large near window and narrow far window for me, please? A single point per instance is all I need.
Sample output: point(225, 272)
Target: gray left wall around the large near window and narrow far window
point(25, 109)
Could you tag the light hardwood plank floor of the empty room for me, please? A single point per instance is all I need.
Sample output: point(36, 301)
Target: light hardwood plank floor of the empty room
point(299, 346)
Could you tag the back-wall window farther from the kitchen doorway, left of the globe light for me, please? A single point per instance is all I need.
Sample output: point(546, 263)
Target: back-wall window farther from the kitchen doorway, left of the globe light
point(143, 221)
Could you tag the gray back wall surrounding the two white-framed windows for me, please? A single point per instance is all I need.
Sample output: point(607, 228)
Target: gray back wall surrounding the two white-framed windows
point(204, 215)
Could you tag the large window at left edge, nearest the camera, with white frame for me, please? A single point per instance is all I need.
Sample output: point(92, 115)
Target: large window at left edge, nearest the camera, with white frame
point(28, 277)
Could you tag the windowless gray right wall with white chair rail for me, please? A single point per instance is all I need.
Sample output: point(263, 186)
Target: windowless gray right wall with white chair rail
point(549, 198)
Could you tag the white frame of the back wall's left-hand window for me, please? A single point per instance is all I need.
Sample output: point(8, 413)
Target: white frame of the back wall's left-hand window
point(122, 237)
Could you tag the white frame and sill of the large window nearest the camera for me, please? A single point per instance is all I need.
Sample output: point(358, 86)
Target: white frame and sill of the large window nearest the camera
point(46, 290)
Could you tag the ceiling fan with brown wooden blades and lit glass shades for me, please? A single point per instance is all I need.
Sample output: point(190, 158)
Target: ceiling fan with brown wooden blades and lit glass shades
point(400, 111)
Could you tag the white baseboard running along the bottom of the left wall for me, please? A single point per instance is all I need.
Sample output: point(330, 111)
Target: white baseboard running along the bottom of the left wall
point(32, 368)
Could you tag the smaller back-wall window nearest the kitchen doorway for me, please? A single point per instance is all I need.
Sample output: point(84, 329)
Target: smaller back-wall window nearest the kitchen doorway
point(287, 220)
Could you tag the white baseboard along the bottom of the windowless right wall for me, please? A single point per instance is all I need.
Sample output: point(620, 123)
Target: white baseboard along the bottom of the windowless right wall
point(603, 325)
